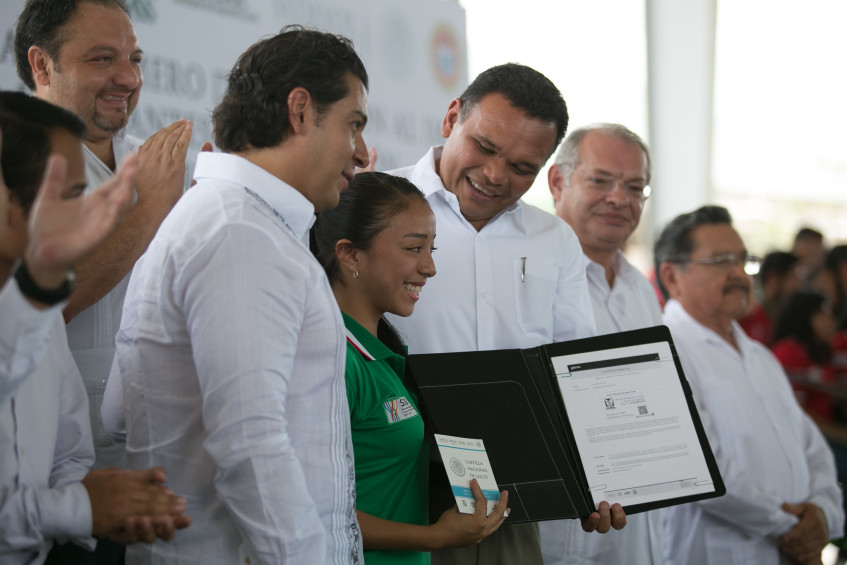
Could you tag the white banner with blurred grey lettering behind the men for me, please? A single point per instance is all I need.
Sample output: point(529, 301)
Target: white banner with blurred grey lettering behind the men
point(415, 54)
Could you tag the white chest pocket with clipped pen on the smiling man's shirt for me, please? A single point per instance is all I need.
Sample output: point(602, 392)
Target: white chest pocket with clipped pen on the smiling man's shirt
point(535, 292)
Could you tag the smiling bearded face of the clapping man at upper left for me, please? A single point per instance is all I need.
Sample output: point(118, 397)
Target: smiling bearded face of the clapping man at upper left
point(97, 74)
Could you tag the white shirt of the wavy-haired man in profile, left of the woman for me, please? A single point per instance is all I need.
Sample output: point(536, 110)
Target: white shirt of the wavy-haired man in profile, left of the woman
point(231, 352)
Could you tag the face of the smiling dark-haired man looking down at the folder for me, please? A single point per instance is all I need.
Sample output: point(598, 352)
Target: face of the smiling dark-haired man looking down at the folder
point(491, 158)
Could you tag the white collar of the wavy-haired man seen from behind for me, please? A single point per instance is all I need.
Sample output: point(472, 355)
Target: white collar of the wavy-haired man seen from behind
point(296, 210)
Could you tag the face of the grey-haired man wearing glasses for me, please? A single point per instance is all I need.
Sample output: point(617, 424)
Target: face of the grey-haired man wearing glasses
point(602, 220)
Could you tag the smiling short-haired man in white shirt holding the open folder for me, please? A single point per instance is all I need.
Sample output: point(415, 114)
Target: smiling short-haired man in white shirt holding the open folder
point(509, 274)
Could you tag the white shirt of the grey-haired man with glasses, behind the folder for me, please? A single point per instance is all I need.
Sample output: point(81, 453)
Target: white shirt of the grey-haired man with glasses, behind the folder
point(628, 305)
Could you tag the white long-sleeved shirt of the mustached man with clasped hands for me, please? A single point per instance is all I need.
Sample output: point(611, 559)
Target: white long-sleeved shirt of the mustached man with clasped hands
point(767, 449)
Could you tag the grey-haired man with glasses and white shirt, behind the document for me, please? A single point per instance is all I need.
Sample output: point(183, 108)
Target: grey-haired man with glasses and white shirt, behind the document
point(599, 184)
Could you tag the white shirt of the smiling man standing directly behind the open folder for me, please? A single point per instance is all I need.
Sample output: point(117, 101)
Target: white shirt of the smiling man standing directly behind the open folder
point(519, 282)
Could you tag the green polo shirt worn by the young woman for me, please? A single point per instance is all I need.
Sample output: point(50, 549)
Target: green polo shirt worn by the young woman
point(388, 440)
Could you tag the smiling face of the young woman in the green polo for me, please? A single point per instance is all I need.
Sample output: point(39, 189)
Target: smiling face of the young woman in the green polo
point(393, 270)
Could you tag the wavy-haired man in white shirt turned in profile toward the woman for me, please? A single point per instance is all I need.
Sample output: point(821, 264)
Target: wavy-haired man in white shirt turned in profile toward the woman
point(231, 348)
